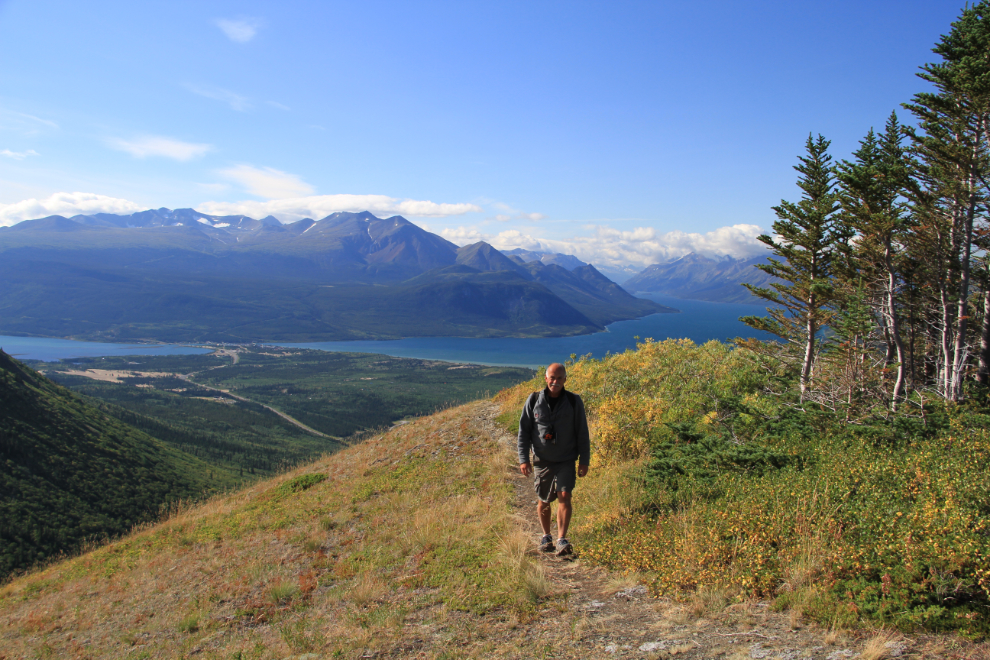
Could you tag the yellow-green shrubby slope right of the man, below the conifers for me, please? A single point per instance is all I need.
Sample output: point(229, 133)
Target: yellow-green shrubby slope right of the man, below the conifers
point(710, 483)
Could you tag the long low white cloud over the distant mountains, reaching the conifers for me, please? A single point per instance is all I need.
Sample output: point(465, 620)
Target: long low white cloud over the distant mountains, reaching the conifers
point(612, 248)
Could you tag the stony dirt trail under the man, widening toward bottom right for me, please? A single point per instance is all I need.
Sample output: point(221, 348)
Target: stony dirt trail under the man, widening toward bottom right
point(604, 616)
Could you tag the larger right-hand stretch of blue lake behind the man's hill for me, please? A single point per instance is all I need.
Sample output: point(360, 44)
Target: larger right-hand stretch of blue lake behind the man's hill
point(699, 321)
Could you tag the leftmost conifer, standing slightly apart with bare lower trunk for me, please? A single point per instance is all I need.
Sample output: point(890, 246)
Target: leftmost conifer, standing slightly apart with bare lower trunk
point(808, 239)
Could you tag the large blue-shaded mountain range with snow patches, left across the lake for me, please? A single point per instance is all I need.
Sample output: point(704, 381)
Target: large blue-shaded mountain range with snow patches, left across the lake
point(187, 276)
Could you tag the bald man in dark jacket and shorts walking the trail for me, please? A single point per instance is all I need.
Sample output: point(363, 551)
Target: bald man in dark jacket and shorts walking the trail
point(554, 425)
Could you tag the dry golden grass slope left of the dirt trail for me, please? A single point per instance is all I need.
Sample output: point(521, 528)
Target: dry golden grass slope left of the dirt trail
point(346, 557)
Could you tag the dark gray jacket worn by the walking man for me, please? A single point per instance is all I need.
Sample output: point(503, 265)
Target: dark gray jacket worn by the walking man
point(569, 422)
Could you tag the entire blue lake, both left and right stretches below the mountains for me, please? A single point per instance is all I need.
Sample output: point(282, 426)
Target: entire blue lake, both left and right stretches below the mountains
point(698, 321)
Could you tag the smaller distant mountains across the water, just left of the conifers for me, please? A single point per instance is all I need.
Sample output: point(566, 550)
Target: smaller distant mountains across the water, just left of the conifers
point(697, 277)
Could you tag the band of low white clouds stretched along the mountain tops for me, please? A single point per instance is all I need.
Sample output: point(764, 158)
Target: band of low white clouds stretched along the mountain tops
point(604, 246)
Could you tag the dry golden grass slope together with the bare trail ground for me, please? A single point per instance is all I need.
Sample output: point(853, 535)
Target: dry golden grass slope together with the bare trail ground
point(417, 543)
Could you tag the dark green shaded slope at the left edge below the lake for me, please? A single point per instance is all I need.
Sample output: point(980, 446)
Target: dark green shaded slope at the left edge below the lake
point(70, 473)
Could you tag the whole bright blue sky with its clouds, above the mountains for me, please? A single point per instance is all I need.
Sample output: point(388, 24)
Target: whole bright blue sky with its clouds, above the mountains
point(627, 133)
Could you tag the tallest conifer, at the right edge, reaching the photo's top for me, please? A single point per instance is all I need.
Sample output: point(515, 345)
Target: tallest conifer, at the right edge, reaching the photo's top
point(951, 146)
